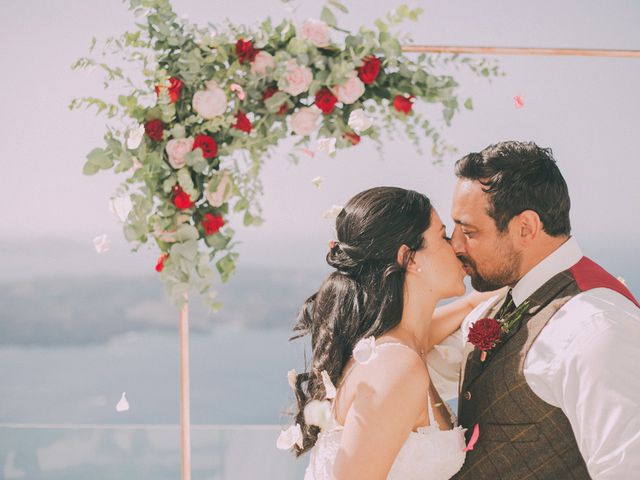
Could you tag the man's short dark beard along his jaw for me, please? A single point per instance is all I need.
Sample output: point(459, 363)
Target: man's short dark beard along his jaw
point(494, 277)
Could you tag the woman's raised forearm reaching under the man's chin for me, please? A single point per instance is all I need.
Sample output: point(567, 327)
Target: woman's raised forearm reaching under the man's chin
point(447, 318)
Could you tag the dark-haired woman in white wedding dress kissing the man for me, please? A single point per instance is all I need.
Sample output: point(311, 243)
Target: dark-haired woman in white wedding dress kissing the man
point(393, 264)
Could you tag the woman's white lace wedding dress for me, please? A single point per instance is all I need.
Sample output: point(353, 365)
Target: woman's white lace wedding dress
point(428, 454)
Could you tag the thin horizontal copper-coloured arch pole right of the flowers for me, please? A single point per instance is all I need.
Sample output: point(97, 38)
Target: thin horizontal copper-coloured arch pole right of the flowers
point(573, 52)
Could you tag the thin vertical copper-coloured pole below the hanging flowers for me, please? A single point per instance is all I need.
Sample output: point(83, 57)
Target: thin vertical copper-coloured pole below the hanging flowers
point(185, 413)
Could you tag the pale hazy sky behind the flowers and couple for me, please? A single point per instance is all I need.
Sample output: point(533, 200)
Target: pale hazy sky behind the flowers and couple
point(586, 109)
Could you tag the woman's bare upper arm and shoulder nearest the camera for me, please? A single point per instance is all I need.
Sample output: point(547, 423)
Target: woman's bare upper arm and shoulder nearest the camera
point(387, 404)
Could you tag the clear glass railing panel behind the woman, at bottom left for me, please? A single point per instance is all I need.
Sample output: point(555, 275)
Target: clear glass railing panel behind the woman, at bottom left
point(141, 452)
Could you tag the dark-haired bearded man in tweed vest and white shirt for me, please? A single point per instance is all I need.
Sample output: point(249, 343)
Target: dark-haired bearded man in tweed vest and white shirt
point(558, 395)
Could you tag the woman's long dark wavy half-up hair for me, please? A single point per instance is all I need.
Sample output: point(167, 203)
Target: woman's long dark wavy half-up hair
point(364, 296)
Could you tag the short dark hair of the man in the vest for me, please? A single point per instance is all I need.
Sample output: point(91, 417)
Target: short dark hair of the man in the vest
point(520, 176)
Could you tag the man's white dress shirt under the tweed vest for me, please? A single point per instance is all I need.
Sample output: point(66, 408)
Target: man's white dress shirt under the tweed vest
point(585, 361)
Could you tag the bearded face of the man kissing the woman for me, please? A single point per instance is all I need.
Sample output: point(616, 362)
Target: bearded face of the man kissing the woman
point(489, 257)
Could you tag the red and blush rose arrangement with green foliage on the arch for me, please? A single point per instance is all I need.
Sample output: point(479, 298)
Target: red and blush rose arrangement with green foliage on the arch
point(206, 107)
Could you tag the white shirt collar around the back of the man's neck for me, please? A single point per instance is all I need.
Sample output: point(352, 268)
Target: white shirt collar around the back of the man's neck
point(561, 259)
